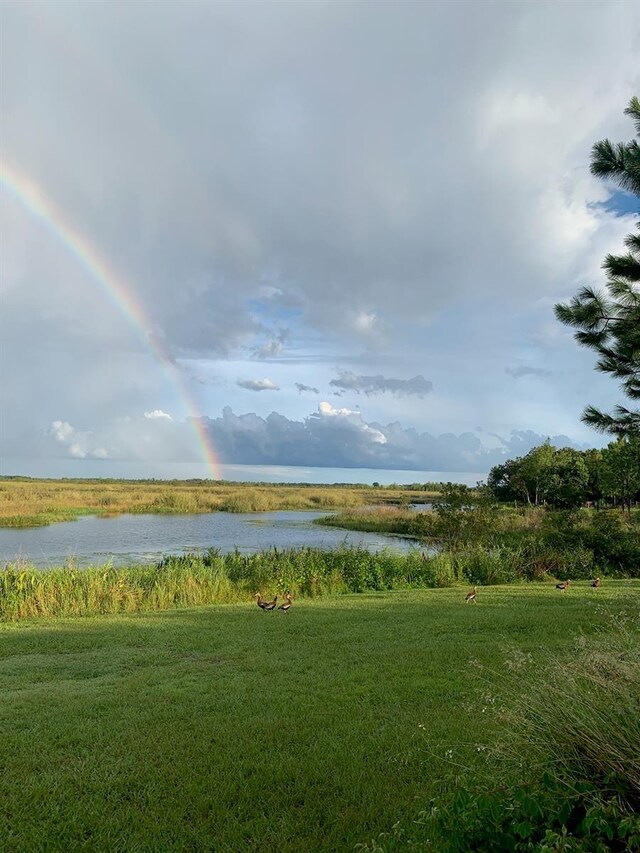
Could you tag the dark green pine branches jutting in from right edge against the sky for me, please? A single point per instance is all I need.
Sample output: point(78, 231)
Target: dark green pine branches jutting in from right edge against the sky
point(609, 323)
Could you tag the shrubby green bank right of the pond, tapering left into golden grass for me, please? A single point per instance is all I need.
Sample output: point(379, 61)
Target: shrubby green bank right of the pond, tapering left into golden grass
point(497, 544)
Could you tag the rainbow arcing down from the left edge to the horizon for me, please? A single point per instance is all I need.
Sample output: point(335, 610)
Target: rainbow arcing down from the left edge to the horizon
point(42, 208)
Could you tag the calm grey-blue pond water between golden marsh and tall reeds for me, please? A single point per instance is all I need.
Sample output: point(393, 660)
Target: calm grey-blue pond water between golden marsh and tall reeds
point(128, 539)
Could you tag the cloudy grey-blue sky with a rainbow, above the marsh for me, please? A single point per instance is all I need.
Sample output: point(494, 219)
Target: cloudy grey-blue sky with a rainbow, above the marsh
point(302, 233)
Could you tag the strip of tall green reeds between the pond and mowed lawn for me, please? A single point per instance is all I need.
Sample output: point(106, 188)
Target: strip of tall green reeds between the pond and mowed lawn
point(211, 578)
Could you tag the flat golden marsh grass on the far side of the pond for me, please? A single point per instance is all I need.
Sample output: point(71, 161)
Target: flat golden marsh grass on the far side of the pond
point(29, 503)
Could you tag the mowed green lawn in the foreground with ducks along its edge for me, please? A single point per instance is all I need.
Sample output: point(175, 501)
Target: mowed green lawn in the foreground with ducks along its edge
point(228, 729)
